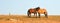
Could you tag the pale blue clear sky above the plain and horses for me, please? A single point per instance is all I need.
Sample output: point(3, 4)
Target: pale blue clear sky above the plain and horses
point(21, 6)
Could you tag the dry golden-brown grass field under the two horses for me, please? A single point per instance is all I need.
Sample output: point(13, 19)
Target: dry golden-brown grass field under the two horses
point(25, 19)
